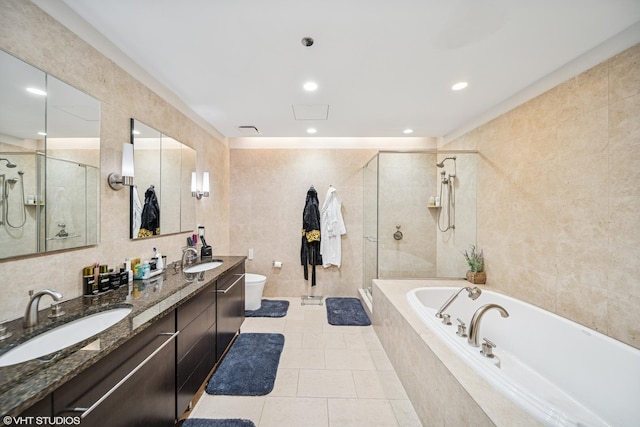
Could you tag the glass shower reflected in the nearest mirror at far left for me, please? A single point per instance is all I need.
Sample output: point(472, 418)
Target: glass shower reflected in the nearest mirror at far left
point(46, 204)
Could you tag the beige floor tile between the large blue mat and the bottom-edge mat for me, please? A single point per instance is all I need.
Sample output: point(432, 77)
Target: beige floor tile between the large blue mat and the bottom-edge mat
point(247, 407)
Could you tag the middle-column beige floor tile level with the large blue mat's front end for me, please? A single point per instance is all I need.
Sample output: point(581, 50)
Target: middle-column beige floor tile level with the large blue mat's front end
point(326, 383)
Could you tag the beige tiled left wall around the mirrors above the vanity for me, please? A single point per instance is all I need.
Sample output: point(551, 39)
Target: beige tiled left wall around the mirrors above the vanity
point(33, 36)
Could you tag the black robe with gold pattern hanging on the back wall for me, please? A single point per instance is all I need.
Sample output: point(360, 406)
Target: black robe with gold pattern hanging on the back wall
point(310, 249)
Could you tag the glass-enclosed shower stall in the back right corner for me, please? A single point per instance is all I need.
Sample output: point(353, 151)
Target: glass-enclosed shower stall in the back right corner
point(419, 214)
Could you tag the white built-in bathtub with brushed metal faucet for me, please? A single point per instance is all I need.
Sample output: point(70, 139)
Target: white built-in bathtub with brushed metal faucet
point(560, 372)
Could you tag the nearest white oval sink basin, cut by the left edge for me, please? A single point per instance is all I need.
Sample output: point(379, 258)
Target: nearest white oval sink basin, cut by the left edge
point(63, 336)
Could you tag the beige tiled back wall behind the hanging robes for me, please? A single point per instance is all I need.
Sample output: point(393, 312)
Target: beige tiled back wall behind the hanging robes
point(268, 192)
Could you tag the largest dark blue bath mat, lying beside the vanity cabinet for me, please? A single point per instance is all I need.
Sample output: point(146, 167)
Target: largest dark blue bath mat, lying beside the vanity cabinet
point(250, 366)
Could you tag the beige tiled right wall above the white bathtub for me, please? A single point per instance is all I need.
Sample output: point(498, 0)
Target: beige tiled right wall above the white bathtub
point(559, 196)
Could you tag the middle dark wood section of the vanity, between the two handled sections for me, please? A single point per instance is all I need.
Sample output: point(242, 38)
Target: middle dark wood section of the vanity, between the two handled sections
point(196, 345)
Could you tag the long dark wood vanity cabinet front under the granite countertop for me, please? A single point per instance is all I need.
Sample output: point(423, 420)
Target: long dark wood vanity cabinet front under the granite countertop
point(151, 379)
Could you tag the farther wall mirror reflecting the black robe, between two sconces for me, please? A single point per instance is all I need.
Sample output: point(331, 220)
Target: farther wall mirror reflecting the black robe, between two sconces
point(161, 201)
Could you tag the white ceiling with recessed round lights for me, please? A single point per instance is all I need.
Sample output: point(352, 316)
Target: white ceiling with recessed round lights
point(381, 65)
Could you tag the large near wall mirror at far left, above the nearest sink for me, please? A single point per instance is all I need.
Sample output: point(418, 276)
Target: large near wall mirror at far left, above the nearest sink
point(50, 158)
